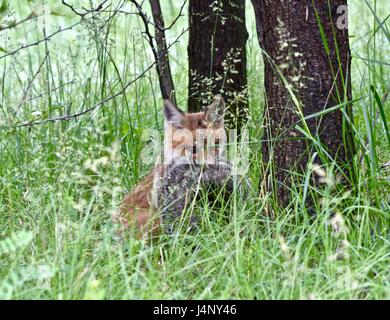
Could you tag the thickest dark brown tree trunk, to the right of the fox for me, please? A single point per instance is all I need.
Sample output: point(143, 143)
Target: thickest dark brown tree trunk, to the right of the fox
point(307, 41)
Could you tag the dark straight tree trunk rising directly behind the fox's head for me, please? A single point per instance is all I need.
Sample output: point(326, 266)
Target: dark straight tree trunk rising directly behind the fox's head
point(217, 56)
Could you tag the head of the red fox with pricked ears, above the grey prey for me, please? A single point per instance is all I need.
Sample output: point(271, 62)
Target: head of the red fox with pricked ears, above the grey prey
point(199, 136)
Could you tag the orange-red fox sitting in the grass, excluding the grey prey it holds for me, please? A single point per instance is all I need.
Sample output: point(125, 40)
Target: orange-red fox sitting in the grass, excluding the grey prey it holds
point(185, 135)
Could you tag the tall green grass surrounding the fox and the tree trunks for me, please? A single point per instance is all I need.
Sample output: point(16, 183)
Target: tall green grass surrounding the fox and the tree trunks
point(60, 182)
